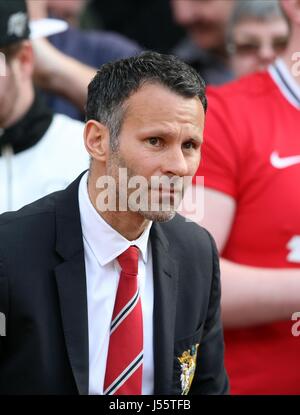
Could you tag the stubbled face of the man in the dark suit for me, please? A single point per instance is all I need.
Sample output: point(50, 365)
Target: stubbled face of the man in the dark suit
point(161, 135)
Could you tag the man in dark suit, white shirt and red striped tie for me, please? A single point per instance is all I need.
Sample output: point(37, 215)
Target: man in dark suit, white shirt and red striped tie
point(102, 299)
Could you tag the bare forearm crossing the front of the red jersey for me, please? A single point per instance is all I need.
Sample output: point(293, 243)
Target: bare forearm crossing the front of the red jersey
point(253, 295)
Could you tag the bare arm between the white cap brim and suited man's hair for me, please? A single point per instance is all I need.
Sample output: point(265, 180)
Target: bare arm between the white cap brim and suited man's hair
point(61, 74)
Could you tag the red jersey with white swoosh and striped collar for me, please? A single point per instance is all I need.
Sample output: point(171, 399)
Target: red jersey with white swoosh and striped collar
point(251, 152)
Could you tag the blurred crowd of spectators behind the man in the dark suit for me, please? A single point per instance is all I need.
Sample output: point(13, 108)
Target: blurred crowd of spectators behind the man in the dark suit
point(242, 49)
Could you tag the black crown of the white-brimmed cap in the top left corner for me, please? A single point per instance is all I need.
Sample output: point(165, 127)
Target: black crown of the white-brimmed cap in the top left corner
point(14, 25)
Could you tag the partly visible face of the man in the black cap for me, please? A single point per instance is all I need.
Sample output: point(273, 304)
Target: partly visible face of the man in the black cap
point(8, 94)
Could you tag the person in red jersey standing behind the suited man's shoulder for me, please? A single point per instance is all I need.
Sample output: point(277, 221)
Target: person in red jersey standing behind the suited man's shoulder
point(251, 168)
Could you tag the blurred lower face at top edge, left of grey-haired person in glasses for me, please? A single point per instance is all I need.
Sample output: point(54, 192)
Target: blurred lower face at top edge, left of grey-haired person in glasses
point(205, 20)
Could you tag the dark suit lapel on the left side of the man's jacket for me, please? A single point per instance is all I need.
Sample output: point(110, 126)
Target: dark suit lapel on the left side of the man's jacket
point(71, 284)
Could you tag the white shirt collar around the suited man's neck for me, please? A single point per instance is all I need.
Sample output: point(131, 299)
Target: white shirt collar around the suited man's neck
point(105, 242)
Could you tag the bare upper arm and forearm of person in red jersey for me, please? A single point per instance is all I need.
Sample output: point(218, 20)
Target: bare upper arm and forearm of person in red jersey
point(250, 295)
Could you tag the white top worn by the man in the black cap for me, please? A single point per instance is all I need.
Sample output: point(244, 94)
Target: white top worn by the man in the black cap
point(50, 165)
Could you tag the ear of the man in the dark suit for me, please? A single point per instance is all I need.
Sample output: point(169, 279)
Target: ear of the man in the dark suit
point(96, 140)
